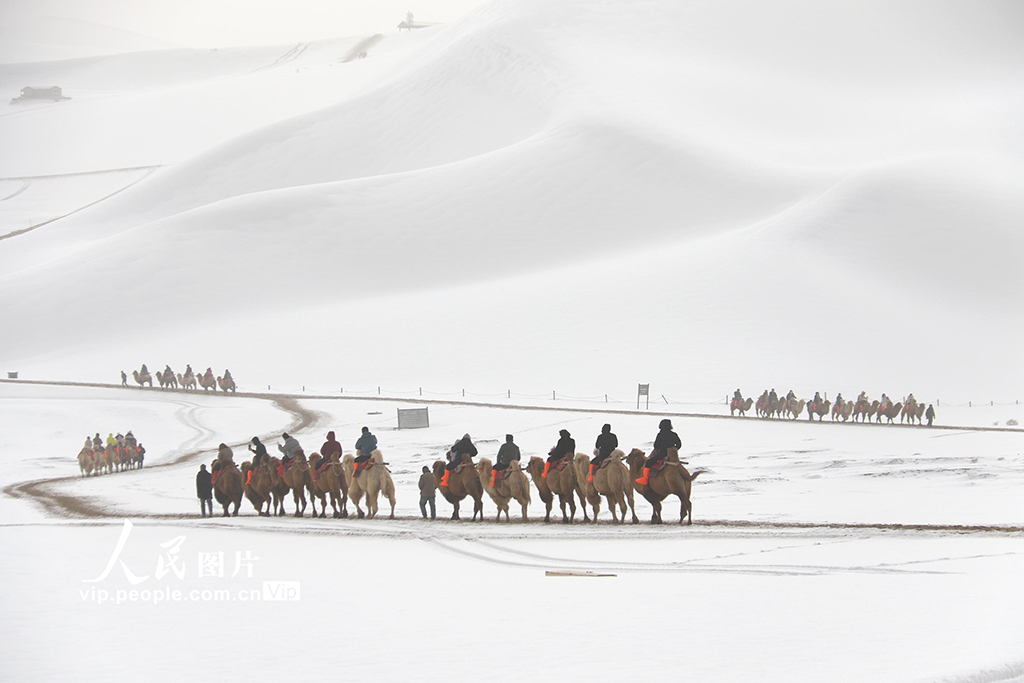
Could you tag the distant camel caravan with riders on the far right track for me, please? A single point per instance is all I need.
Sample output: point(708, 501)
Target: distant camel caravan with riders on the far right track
point(863, 410)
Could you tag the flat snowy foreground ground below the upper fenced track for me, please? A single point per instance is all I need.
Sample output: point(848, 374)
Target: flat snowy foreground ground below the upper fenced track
point(820, 552)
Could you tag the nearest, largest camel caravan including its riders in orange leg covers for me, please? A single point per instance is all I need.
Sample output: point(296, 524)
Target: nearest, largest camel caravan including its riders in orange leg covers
point(335, 480)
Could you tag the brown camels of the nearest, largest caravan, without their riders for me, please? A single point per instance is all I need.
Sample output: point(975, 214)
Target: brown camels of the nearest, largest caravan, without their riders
point(615, 480)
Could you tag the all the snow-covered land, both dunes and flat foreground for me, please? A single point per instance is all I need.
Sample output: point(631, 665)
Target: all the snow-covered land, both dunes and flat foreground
point(574, 197)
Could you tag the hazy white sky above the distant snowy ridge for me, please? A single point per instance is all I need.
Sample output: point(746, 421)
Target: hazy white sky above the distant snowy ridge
point(228, 23)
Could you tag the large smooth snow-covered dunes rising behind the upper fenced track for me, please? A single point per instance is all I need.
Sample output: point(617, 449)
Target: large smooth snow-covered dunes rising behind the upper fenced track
point(590, 194)
